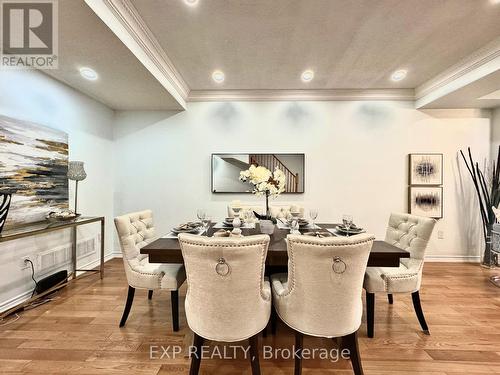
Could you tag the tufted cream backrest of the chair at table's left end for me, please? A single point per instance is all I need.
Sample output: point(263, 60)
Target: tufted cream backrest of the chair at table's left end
point(135, 230)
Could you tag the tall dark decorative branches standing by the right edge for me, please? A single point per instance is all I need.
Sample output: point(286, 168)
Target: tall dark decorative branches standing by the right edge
point(488, 194)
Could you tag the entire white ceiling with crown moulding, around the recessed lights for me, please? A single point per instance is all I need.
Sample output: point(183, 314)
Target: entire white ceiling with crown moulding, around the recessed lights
point(162, 53)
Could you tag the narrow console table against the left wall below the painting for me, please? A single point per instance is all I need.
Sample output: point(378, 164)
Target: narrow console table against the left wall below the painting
point(44, 227)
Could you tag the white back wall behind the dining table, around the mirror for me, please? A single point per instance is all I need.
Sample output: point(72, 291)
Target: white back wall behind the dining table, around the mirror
point(356, 160)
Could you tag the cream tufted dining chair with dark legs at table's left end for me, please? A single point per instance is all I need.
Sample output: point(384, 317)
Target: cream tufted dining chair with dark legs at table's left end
point(136, 230)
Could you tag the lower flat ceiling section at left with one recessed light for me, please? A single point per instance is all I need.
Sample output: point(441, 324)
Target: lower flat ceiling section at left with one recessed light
point(124, 83)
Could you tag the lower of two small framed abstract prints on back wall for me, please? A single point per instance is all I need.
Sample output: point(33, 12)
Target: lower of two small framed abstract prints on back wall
point(426, 201)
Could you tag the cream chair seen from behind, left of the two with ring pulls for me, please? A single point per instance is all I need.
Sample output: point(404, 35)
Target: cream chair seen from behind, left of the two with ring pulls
point(228, 298)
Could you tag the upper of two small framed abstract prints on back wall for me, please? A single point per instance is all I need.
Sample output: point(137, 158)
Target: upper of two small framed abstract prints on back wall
point(426, 169)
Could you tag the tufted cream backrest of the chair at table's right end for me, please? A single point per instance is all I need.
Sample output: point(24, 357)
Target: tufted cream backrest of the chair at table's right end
point(410, 233)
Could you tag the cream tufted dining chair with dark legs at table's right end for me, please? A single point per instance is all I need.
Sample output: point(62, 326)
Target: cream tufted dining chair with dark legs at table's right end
point(411, 233)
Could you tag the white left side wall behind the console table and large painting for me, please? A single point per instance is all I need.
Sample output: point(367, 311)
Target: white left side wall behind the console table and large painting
point(33, 96)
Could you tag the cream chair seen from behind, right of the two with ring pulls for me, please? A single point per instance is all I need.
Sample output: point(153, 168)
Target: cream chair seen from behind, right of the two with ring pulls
point(322, 293)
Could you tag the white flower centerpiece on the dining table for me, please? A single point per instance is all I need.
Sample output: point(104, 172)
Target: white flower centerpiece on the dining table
point(265, 182)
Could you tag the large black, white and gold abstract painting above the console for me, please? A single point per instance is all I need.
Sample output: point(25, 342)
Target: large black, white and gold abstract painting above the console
point(33, 167)
